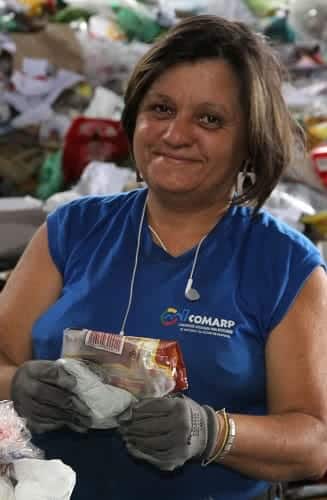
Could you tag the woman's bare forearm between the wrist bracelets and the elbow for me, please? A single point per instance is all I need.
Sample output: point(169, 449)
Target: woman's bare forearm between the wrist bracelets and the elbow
point(279, 447)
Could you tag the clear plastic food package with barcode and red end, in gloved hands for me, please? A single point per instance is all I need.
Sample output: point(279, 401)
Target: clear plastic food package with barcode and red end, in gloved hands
point(144, 367)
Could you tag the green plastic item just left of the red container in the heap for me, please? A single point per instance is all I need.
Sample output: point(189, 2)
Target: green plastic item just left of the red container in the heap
point(51, 179)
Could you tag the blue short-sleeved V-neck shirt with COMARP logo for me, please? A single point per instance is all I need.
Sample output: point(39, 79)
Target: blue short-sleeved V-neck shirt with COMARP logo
point(248, 273)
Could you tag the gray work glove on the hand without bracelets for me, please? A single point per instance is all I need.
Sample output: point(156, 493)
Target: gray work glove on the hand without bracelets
point(41, 392)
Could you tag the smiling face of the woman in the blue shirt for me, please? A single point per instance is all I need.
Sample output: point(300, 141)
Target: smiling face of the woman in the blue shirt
point(189, 136)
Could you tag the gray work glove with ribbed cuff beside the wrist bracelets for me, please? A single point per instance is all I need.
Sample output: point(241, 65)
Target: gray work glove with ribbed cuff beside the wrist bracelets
point(169, 431)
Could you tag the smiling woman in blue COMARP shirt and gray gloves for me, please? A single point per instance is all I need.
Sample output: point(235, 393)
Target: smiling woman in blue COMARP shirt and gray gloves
point(243, 294)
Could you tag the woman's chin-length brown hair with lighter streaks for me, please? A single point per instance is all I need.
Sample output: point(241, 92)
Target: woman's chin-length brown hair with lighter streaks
point(272, 133)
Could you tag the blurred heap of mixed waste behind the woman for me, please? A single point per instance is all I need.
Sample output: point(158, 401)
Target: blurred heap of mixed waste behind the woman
point(63, 70)
